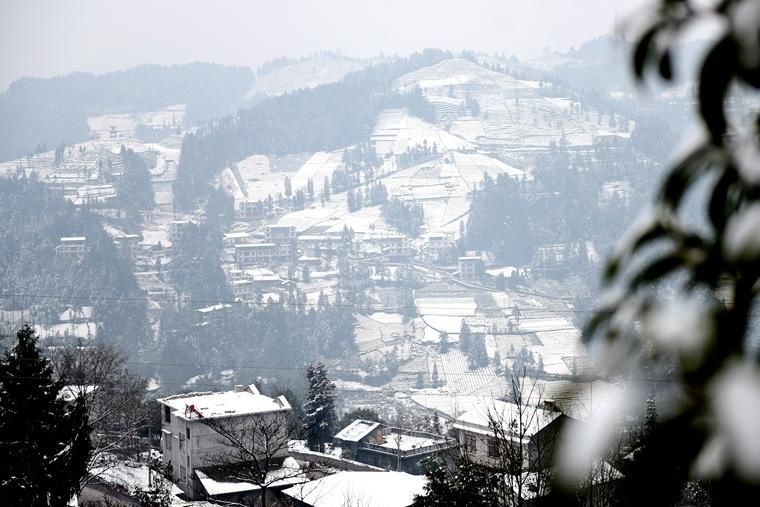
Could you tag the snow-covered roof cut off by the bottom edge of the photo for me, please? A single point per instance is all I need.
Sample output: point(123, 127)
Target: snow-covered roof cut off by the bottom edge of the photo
point(369, 489)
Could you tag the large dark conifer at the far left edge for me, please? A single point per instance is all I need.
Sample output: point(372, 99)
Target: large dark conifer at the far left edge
point(47, 439)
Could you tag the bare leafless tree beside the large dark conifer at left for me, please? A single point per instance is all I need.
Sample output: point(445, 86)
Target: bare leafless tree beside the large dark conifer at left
point(114, 400)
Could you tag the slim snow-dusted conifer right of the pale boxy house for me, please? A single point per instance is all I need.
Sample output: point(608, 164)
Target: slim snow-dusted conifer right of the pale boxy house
point(319, 409)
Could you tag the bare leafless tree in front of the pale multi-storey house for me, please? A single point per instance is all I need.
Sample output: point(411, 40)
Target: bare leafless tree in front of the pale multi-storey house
point(253, 450)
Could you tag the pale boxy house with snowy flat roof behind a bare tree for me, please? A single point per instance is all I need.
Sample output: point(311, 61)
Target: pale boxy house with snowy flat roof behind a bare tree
point(188, 438)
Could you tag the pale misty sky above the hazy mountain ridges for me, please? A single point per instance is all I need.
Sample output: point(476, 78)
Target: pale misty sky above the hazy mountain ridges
point(52, 37)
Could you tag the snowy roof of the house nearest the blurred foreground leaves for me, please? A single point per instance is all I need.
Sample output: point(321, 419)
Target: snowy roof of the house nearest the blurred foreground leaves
point(533, 419)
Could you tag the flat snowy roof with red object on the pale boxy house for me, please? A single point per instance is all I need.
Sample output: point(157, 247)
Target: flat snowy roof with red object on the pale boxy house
point(242, 401)
